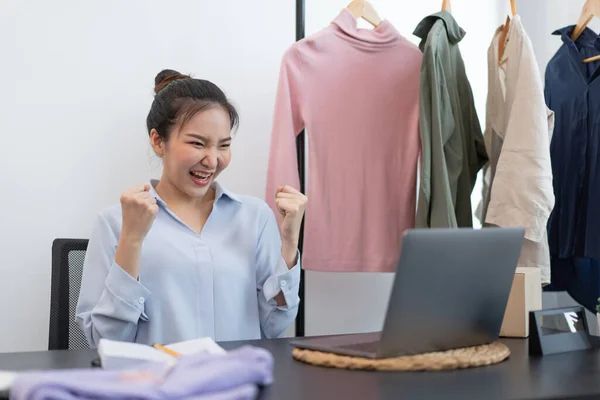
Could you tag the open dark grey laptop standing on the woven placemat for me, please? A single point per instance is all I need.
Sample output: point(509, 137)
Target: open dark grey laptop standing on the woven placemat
point(450, 290)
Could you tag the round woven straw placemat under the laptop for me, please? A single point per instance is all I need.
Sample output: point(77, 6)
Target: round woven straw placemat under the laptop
point(467, 357)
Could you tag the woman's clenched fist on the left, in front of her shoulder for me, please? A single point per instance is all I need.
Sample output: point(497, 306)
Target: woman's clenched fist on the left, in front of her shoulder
point(139, 211)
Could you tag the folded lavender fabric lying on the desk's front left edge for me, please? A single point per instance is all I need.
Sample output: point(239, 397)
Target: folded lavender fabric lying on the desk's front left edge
point(235, 375)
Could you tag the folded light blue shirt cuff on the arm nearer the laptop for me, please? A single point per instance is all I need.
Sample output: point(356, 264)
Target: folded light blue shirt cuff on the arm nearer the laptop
point(286, 281)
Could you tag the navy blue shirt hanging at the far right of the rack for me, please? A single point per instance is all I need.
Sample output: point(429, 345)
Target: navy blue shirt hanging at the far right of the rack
point(572, 91)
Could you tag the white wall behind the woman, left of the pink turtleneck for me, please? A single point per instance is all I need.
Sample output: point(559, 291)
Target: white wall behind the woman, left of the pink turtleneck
point(77, 80)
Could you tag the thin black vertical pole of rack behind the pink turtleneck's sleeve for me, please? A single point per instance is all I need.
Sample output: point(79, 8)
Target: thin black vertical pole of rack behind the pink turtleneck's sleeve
point(300, 33)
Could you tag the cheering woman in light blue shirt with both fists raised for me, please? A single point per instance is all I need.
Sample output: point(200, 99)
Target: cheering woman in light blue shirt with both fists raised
point(183, 257)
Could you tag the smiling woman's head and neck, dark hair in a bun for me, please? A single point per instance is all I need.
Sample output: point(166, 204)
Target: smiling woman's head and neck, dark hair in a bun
point(199, 152)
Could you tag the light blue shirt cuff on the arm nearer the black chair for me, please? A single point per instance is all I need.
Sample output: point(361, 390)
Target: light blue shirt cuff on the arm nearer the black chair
point(126, 289)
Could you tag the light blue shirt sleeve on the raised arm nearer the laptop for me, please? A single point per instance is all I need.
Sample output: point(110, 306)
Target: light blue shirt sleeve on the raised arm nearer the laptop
point(273, 277)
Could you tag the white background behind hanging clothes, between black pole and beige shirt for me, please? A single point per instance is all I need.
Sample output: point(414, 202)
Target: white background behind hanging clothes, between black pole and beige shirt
point(356, 302)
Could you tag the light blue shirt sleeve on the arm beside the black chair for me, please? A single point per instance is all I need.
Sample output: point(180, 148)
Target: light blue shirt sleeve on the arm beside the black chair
point(111, 302)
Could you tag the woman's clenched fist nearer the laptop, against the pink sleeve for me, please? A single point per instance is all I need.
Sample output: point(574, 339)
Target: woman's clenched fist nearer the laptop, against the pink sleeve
point(291, 205)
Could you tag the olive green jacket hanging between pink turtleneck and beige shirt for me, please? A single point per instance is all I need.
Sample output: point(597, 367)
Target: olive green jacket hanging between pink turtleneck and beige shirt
point(453, 150)
